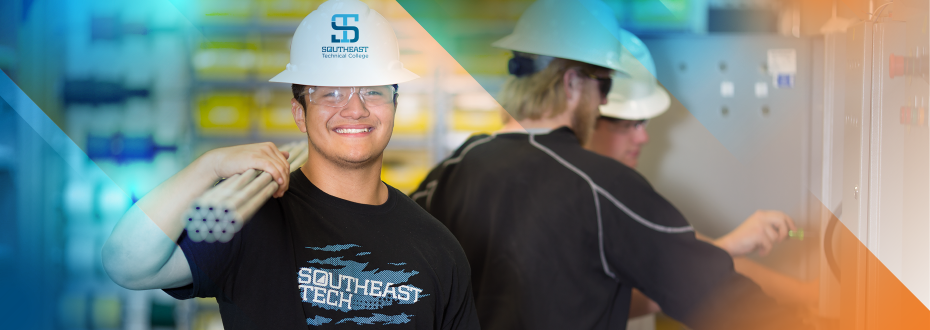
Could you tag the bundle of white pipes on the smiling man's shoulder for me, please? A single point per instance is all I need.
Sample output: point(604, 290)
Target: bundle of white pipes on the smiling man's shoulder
point(222, 210)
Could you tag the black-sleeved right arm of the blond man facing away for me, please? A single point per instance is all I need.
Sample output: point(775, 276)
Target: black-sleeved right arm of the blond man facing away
point(691, 280)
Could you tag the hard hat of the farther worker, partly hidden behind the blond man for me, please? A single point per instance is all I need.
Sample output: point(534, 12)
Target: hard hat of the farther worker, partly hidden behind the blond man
point(637, 95)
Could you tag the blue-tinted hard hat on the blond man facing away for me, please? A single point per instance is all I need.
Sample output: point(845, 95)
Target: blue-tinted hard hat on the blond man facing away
point(567, 29)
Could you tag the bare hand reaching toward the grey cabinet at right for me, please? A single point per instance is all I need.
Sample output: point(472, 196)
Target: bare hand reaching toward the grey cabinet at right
point(758, 233)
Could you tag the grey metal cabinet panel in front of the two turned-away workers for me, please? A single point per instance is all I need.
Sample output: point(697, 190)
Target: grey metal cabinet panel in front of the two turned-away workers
point(735, 140)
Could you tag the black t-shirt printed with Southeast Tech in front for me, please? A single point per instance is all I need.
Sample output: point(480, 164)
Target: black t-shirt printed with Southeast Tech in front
point(311, 260)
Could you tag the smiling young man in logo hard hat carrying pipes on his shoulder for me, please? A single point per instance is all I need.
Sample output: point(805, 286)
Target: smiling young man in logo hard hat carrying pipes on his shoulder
point(337, 248)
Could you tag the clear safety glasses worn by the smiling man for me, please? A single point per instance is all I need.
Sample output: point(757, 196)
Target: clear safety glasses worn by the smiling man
point(338, 97)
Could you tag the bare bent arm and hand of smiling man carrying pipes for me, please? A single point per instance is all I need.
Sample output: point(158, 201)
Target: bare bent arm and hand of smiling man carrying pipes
point(142, 253)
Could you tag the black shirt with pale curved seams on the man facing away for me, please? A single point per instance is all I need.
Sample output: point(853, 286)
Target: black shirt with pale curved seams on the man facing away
point(557, 236)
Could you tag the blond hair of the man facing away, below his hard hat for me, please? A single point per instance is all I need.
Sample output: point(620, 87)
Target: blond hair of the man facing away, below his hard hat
point(540, 94)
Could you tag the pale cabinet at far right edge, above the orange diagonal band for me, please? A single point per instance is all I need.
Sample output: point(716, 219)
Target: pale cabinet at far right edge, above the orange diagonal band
point(886, 179)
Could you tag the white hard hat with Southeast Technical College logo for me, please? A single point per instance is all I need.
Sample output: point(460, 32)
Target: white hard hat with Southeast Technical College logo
point(344, 43)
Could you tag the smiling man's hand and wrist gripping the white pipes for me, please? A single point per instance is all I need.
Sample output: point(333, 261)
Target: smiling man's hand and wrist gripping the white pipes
point(226, 162)
